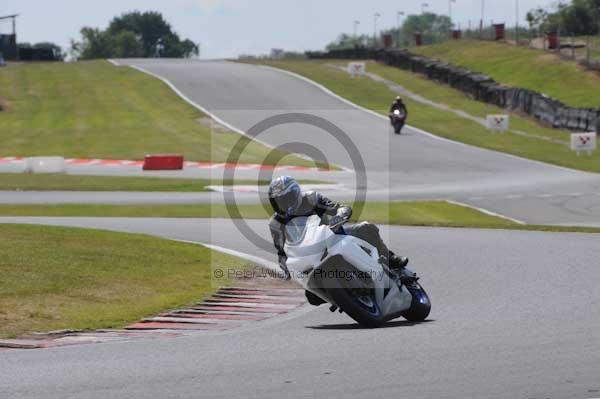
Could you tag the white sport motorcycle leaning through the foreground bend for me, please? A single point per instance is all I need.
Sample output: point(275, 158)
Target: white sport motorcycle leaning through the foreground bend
point(348, 273)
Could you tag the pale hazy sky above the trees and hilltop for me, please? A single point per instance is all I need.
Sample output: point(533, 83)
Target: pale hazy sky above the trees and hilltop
point(227, 28)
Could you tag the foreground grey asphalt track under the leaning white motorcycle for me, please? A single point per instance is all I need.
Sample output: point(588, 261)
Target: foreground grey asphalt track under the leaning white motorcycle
point(513, 316)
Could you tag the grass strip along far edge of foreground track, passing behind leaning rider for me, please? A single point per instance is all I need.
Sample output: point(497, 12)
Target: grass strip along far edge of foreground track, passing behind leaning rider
point(409, 213)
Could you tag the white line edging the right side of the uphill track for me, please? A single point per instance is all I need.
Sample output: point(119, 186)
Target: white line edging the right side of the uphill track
point(416, 129)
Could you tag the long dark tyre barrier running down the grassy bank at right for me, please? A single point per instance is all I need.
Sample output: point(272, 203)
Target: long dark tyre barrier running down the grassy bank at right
point(485, 89)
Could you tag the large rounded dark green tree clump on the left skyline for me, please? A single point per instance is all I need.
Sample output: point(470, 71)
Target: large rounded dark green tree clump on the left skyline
point(133, 34)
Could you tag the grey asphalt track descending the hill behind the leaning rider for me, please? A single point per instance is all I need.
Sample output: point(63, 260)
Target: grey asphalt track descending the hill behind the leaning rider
point(415, 165)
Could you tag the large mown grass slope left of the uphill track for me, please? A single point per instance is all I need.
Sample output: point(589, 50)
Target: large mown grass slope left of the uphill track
point(96, 110)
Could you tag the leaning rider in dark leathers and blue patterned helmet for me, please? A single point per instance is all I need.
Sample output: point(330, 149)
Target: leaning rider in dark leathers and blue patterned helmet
point(288, 201)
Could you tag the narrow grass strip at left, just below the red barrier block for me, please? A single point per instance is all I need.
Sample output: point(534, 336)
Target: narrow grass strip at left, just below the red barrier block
point(60, 182)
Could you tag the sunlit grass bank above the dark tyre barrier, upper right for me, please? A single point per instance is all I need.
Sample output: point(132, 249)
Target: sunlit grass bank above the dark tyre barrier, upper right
point(522, 67)
